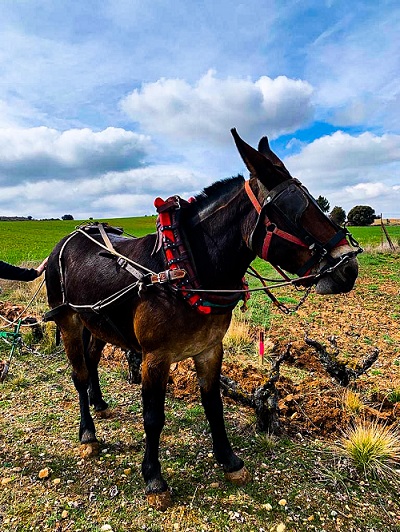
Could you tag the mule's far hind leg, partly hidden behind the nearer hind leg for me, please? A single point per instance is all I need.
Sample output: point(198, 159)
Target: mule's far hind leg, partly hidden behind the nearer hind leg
point(93, 348)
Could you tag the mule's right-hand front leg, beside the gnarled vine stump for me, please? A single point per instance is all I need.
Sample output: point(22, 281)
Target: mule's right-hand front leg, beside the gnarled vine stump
point(208, 367)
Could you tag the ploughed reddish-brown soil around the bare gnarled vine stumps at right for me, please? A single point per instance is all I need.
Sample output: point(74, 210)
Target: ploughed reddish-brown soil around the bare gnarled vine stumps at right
point(311, 401)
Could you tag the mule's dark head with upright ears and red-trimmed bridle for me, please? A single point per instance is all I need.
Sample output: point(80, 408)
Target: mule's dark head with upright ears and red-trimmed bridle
point(290, 230)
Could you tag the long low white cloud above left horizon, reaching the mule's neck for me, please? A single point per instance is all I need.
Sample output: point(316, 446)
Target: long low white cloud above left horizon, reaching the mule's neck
point(114, 194)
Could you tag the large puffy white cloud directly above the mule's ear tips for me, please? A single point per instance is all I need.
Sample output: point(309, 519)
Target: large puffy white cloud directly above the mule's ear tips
point(206, 110)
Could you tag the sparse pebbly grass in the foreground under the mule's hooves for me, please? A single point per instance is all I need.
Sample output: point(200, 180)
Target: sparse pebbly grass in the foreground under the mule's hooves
point(42, 417)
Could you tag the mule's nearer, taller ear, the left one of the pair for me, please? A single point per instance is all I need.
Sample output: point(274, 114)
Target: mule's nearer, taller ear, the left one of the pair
point(258, 165)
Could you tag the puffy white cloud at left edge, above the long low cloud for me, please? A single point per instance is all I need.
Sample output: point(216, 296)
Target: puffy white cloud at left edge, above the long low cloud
point(41, 152)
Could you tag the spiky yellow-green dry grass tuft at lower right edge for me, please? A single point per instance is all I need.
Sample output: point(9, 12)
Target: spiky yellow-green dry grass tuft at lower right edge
point(373, 448)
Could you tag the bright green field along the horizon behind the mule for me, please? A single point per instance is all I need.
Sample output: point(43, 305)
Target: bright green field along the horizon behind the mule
point(30, 241)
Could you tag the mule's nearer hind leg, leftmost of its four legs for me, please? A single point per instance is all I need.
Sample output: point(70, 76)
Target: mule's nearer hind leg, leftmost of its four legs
point(72, 333)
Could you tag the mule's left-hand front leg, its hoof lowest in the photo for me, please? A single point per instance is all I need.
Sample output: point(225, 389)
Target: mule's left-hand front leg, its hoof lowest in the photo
point(155, 372)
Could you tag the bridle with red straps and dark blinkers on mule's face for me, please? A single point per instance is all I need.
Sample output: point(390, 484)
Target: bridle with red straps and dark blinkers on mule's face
point(289, 200)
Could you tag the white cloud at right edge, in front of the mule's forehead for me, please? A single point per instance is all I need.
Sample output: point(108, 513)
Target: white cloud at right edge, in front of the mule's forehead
point(351, 170)
